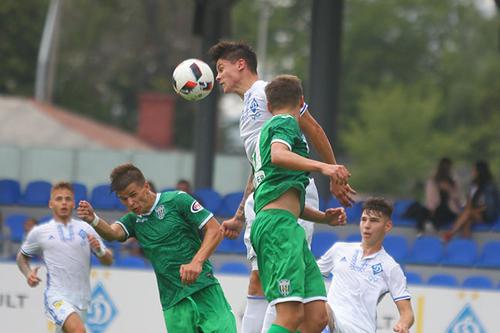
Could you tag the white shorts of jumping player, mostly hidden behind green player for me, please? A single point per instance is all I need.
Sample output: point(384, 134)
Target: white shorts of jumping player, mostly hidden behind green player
point(312, 200)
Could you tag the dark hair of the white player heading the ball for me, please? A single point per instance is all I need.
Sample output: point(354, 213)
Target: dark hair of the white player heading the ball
point(233, 51)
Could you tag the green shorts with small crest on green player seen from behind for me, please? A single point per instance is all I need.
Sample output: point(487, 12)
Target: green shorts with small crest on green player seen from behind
point(287, 268)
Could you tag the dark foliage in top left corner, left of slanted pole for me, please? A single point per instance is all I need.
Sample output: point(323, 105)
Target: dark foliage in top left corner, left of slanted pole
point(21, 25)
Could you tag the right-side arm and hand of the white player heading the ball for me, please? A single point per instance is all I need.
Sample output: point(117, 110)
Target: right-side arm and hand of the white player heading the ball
point(317, 136)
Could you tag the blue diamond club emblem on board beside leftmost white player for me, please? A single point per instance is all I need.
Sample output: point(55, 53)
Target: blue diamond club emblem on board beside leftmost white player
point(102, 310)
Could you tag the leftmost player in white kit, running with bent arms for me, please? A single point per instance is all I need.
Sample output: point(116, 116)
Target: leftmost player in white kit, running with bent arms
point(65, 244)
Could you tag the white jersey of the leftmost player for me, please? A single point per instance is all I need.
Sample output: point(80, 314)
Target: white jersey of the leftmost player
point(66, 252)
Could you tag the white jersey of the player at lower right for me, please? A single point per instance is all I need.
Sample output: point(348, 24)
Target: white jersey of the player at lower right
point(358, 285)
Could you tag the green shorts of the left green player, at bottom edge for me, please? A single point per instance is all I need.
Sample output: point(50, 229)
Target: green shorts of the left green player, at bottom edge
point(205, 311)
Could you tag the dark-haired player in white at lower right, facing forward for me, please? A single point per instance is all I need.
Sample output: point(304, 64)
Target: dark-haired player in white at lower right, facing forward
point(363, 273)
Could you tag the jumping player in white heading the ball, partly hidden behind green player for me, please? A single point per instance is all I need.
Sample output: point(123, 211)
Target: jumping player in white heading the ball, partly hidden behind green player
point(236, 65)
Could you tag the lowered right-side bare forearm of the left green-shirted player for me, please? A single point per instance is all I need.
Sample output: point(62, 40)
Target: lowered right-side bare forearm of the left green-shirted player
point(211, 239)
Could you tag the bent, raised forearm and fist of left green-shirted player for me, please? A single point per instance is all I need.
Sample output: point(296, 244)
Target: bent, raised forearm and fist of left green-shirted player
point(112, 232)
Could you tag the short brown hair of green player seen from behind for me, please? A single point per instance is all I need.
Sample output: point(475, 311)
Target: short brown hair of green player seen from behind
point(283, 91)
